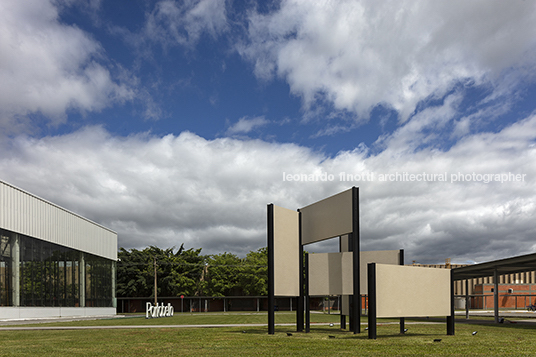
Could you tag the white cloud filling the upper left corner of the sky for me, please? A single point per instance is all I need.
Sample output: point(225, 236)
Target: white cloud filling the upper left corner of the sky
point(48, 67)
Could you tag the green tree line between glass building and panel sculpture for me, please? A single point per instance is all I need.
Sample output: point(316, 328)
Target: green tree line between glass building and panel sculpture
point(188, 272)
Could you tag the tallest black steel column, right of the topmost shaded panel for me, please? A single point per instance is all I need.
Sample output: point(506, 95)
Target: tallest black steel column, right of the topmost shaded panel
point(356, 313)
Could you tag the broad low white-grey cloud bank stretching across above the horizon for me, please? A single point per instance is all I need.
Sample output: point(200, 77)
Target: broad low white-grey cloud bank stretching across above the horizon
point(213, 193)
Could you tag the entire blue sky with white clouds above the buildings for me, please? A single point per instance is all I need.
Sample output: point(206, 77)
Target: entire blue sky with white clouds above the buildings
point(176, 122)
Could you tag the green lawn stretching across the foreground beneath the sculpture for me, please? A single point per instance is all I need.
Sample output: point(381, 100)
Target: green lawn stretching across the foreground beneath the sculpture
point(491, 339)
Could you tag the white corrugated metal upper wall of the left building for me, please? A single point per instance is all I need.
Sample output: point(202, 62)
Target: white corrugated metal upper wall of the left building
point(24, 213)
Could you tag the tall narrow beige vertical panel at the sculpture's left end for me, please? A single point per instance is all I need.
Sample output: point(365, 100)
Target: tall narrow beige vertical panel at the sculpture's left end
point(286, 252)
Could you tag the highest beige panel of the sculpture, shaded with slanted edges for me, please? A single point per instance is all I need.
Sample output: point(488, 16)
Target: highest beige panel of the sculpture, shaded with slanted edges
point(328, 218)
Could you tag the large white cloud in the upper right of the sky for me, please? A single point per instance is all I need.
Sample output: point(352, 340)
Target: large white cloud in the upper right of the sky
point(358, 54)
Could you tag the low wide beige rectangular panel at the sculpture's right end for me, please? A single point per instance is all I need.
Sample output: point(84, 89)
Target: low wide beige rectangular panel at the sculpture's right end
point(407, 291)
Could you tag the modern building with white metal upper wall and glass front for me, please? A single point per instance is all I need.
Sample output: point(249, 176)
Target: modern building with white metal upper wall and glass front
point(53, 262)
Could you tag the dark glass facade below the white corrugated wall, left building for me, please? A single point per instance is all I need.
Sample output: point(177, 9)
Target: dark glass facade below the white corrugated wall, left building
point(52, 275)
